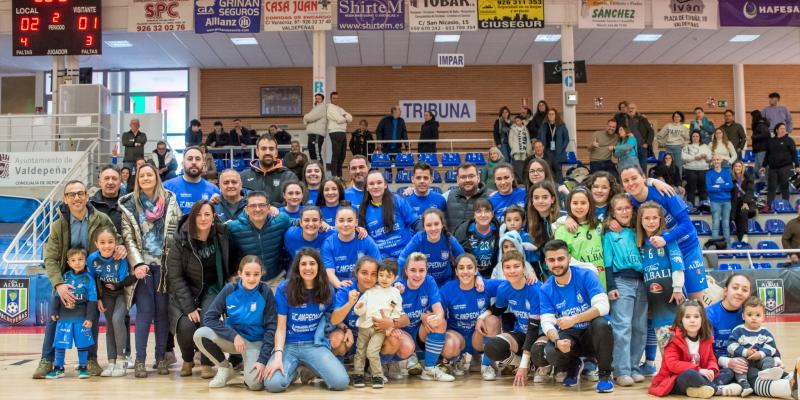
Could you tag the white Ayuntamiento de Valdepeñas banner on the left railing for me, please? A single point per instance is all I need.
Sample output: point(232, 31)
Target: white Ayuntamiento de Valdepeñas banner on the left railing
point(35, 169)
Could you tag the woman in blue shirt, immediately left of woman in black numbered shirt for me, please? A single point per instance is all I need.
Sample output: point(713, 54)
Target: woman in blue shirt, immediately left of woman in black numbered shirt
point(437, 244)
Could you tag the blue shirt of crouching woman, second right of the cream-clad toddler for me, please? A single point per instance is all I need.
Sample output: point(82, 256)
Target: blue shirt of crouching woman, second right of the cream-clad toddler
point(464, 306)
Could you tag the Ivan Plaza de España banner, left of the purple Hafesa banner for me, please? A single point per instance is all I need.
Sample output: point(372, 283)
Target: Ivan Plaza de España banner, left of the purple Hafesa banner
point(692, 14)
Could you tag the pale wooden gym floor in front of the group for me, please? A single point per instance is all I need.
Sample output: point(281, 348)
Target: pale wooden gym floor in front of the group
point(20, 352)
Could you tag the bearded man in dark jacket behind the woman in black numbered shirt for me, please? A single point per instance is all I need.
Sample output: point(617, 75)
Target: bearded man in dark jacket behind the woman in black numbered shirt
point(460, 201)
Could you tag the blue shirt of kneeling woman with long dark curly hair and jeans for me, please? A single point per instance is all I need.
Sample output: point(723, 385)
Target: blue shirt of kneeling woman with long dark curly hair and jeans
point(301, 321)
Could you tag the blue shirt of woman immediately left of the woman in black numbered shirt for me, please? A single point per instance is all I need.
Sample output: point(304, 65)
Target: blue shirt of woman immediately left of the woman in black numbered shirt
point(440, 255)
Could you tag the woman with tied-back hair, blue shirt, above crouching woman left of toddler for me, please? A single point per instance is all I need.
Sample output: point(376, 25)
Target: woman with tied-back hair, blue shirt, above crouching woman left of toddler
point(344, 248)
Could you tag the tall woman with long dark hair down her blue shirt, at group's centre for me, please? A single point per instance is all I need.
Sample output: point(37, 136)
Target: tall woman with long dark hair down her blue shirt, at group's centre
point(389, 220)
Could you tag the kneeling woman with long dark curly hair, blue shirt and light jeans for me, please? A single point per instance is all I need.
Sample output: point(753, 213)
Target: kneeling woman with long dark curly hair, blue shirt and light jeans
point(303, 301)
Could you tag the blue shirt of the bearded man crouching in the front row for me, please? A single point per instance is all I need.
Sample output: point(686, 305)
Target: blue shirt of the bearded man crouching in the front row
point(572, 299)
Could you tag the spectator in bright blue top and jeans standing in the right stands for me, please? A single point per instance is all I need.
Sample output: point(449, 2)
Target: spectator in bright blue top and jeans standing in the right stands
point(719, 185)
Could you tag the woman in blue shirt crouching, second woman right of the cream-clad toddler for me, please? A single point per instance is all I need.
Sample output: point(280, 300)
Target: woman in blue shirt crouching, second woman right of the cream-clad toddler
point(463, 303)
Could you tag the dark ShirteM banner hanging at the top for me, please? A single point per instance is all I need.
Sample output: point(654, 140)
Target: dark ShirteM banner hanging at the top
point(371, 15)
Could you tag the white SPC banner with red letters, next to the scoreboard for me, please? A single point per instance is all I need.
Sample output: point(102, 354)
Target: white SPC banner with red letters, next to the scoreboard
point(160, 15)
